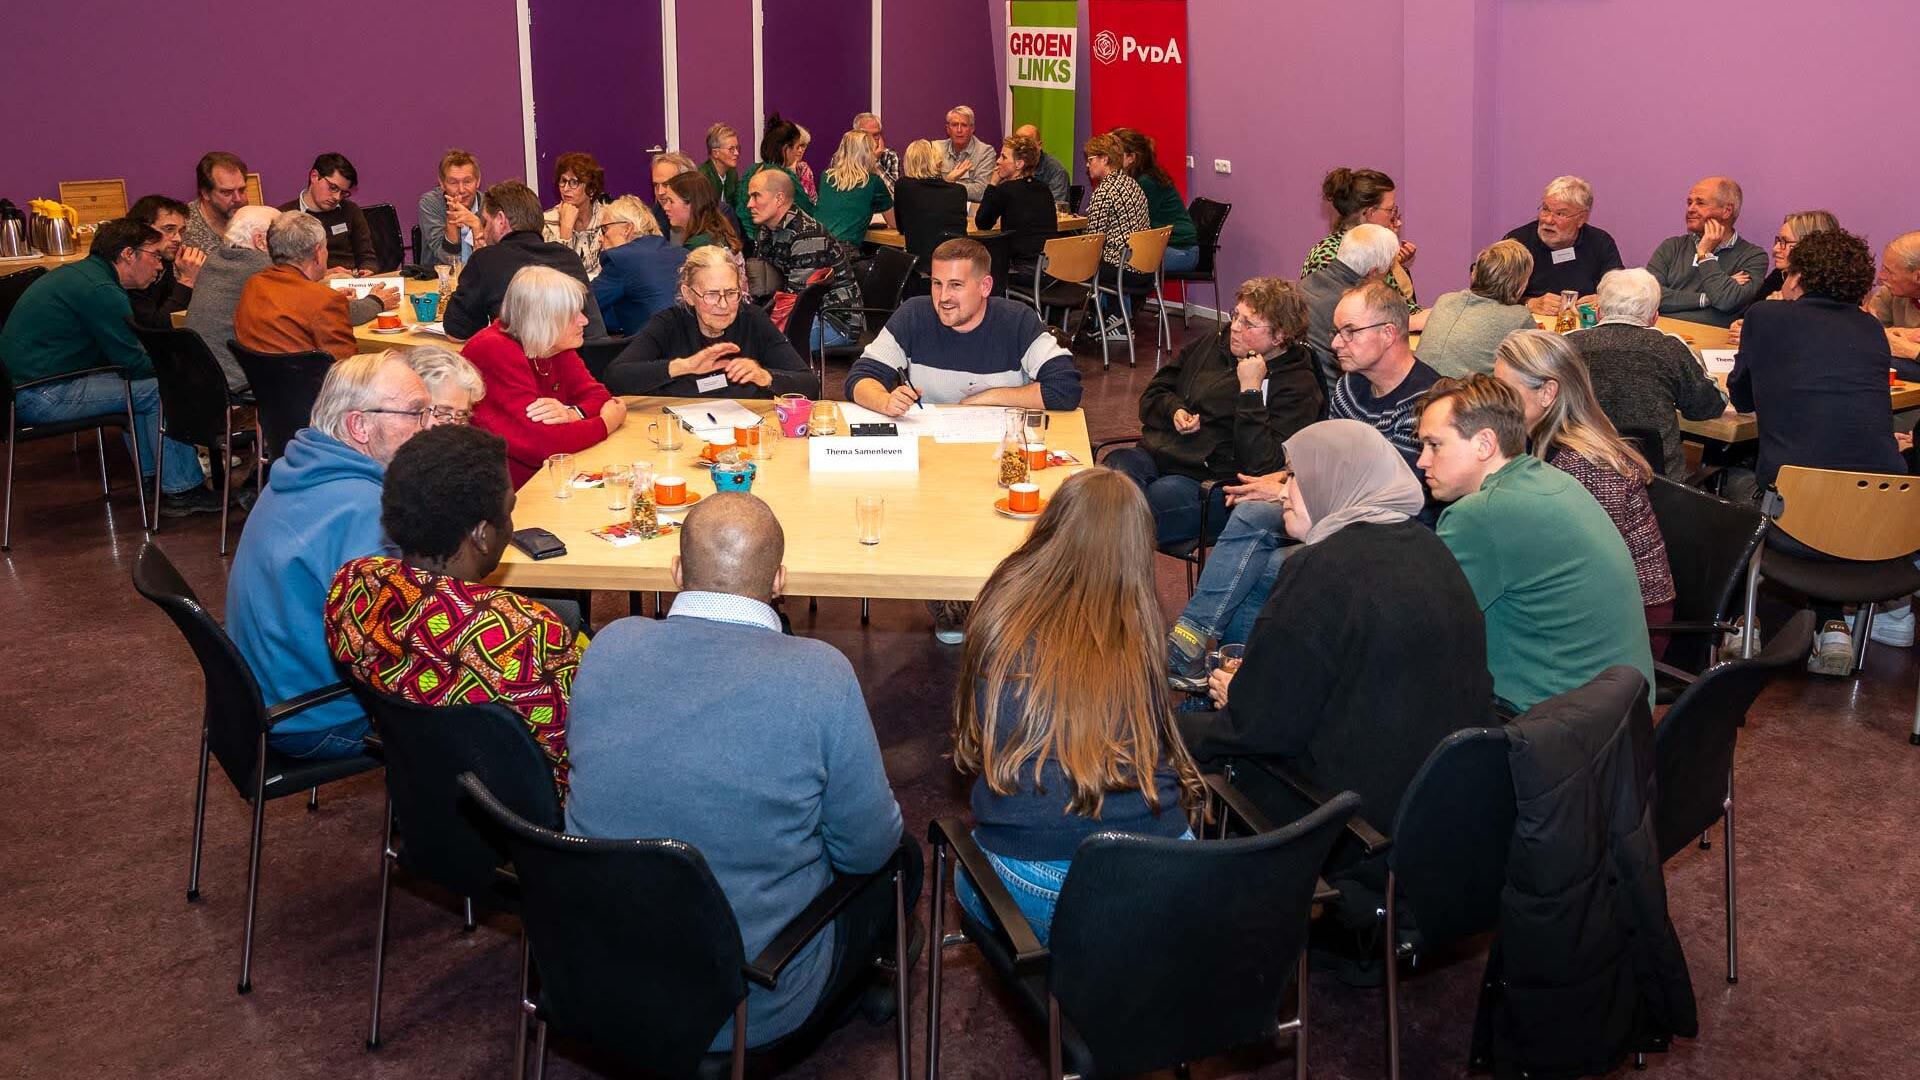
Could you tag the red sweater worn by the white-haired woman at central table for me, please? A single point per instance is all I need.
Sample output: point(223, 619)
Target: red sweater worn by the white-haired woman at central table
point(514, 383)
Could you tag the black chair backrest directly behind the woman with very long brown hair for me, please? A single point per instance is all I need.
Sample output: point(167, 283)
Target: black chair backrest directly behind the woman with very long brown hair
point(1168, 952)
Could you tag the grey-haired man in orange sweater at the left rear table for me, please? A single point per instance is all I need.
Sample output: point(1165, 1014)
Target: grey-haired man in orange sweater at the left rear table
point(287, 307)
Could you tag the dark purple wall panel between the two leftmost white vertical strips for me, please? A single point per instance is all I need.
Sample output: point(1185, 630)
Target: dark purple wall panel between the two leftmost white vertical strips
point(588, 97)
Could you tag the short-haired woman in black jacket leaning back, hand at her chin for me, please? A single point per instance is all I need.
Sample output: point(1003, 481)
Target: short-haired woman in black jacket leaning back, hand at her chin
point(1226, 406)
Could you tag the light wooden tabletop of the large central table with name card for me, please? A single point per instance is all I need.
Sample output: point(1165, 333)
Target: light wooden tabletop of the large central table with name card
point(940, 535)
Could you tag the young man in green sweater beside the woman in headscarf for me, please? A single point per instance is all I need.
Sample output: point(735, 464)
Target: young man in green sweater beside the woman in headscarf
point(1554, 579)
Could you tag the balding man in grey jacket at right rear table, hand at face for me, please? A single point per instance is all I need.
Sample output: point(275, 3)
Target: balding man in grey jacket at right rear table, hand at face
point(1710, 274)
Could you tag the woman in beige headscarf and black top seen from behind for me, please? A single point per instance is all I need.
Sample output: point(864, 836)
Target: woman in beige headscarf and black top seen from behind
point(1372, 647)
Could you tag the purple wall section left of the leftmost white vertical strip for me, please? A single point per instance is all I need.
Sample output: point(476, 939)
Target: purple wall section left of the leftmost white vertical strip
point(108, 103)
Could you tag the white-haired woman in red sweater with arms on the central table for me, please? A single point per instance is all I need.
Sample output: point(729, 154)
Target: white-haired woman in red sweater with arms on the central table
point(540, 397)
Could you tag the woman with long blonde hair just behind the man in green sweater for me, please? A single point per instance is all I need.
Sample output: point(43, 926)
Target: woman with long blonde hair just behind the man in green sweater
point(1572, 433)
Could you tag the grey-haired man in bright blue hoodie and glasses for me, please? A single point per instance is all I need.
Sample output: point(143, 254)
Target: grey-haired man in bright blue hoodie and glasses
point(322, 508)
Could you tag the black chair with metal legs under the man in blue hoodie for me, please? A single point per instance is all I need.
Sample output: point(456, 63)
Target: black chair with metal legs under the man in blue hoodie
point(235, 729)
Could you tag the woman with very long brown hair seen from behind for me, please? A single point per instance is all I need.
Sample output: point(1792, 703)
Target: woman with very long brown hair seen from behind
point(1063, 712)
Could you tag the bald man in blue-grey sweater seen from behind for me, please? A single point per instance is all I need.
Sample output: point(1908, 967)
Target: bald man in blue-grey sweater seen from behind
point(754, 747)
